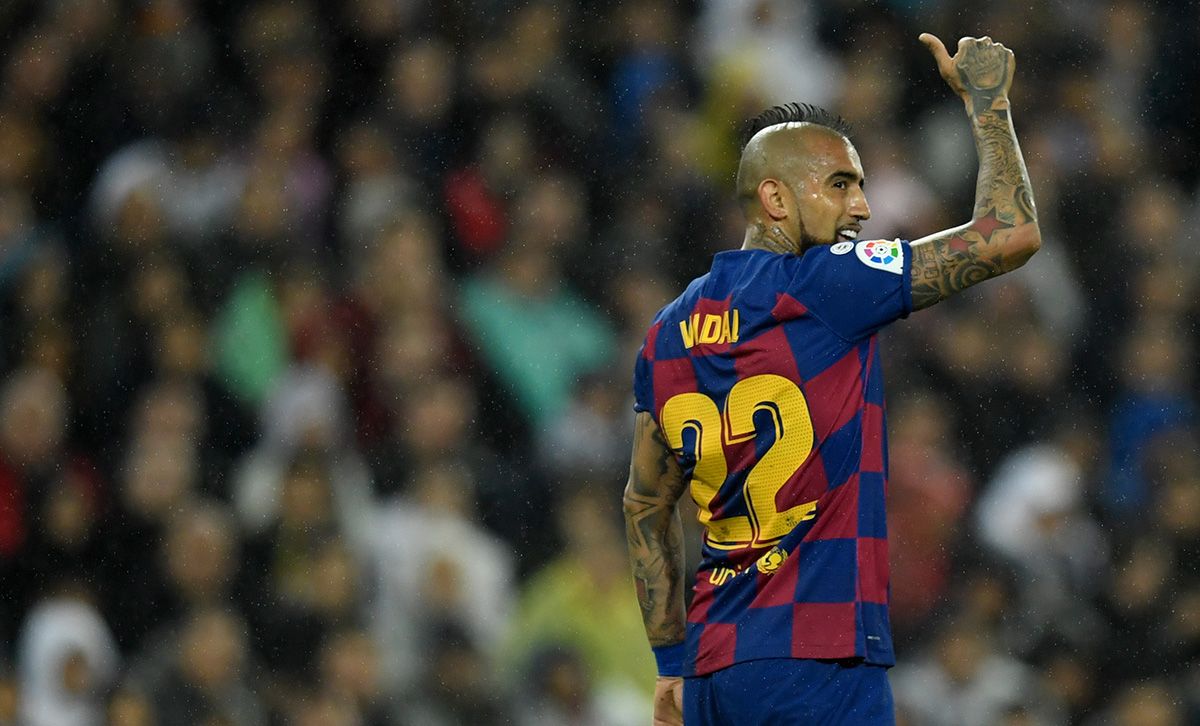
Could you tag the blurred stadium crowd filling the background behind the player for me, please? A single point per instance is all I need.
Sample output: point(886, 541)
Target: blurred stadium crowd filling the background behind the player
point(317, 326)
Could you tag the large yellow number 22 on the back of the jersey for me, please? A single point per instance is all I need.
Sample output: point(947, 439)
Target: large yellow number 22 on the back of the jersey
point(710, 429)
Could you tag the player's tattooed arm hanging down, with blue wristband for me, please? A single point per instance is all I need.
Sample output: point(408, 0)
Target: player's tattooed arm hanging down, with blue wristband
point(656, 549)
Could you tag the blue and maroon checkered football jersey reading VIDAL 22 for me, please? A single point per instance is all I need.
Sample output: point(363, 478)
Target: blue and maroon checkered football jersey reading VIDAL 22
point(765, 379)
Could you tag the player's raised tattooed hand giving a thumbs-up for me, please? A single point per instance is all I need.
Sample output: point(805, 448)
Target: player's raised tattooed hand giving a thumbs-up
point(980, 73)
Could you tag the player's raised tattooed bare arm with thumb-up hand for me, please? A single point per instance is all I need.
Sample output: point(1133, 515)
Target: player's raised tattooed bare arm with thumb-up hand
point(1004, 231)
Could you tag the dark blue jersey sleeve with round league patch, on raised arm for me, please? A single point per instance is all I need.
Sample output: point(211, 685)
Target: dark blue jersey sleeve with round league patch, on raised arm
point(856, 289)
